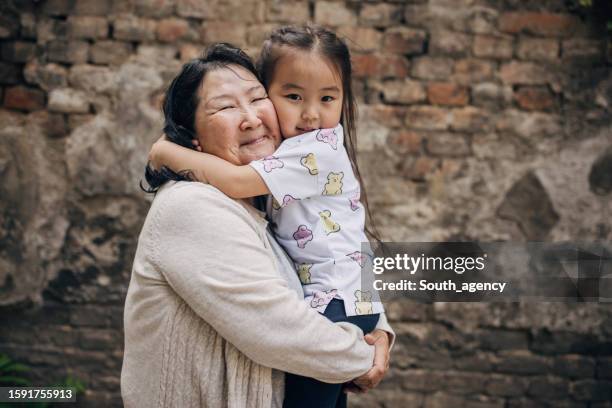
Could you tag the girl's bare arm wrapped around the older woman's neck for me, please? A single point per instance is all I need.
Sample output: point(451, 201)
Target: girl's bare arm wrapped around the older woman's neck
point(233, 180)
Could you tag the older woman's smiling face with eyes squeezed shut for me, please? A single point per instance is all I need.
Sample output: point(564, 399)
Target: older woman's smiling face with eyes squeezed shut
point(235, 120)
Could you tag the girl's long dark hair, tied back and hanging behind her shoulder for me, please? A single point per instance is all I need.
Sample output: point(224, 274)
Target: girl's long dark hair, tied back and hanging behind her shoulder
point(319, 39)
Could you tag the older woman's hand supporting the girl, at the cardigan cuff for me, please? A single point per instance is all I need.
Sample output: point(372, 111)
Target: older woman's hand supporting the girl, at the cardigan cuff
point(369, 380)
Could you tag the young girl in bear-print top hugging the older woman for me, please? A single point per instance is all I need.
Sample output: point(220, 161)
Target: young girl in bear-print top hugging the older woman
point(313, 179)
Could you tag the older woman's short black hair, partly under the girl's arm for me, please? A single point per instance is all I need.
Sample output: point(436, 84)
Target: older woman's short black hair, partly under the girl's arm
point(181, 103)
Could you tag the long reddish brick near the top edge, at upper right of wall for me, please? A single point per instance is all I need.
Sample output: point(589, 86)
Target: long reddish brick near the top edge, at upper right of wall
point(539, 23)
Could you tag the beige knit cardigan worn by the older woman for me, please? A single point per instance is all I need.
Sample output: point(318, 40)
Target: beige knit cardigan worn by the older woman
point(213, 314)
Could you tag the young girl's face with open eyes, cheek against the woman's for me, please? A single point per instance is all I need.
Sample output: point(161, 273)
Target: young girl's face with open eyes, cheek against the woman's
point(306, 90)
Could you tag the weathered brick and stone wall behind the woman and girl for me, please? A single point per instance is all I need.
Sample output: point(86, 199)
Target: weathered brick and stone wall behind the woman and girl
point(479, 119)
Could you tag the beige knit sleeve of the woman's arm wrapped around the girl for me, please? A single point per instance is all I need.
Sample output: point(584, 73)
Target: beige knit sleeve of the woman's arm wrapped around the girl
point(212, 255)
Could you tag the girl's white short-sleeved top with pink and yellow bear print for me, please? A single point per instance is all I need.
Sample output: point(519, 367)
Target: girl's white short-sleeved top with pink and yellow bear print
point(320, 222)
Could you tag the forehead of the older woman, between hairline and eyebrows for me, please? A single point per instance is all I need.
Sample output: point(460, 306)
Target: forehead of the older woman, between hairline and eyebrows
point(230, 82)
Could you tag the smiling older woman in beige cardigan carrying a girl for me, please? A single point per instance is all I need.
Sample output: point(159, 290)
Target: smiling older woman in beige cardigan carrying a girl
point(213, 313)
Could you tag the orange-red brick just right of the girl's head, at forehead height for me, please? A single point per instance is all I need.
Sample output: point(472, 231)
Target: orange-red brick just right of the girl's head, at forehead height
point(379, 66)
